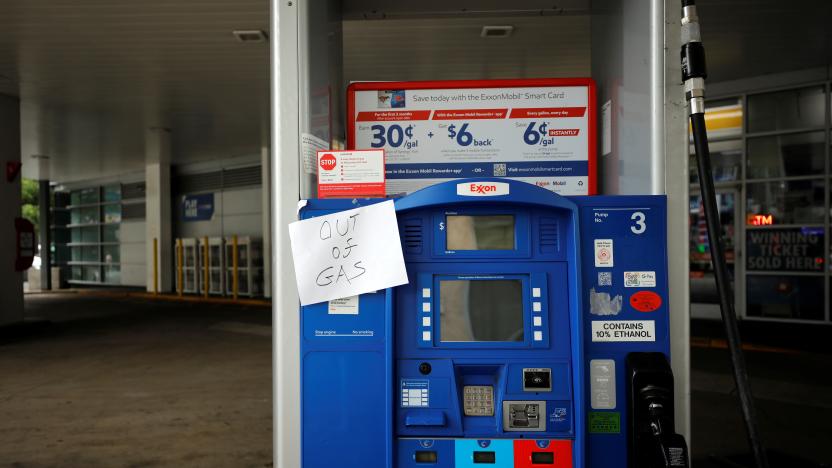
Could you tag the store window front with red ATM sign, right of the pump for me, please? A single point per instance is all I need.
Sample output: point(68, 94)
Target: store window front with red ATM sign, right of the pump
point(774, 159)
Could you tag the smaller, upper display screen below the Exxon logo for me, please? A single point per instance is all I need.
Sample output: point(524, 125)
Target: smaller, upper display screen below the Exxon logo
point(488, 232)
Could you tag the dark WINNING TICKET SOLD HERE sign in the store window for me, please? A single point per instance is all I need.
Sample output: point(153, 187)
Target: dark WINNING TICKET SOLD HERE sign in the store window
point(785, 249)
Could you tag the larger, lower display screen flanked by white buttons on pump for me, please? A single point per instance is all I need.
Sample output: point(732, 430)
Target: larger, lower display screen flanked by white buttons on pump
point(481, 310)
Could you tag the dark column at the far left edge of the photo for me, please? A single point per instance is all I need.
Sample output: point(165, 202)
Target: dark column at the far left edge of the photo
point(11, 282)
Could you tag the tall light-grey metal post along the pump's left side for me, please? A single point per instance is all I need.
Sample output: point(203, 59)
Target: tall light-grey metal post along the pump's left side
point(285, 145)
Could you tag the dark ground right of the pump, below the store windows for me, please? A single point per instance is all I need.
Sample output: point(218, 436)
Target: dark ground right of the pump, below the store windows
point(794, 399)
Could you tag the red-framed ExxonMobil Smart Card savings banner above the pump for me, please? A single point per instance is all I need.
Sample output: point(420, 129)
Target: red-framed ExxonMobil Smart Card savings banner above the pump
point(540, 131)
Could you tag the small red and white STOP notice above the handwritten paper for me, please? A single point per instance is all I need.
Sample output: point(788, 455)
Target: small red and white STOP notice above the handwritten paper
point(351, 173)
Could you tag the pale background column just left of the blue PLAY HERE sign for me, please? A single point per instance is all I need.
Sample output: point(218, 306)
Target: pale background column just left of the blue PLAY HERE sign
point(158, 209)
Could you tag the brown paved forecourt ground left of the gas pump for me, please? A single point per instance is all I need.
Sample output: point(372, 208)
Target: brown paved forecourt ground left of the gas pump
point(138, 384)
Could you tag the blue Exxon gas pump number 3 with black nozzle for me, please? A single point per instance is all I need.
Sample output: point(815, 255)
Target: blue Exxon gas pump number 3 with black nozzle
point(533, 332)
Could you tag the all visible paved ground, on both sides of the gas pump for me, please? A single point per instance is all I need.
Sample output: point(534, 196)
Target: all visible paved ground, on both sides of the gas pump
point(136, 383)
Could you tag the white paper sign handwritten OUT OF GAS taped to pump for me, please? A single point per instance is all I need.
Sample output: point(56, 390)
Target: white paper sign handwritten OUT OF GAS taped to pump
point(347, 253)
